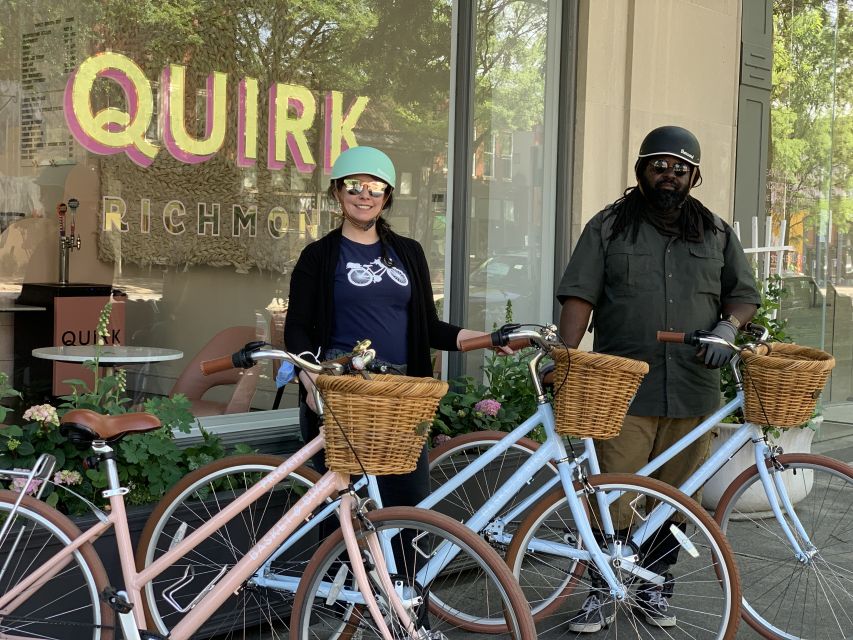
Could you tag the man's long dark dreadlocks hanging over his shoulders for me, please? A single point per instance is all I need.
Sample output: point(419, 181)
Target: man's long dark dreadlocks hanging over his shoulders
point(631, 209)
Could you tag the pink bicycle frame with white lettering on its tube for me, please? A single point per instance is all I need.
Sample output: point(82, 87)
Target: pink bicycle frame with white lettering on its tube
point(330, 484)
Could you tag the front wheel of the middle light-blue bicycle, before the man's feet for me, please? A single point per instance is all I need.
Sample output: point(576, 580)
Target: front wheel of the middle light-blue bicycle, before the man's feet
point(551, 589)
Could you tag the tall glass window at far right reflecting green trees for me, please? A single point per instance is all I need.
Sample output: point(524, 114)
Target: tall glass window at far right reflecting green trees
point(809, 187)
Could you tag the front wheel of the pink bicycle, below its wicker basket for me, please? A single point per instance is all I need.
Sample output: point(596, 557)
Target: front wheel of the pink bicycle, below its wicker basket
point(470, 576)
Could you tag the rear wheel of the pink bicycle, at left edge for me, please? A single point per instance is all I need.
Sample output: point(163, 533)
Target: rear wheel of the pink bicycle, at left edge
point(69, 602)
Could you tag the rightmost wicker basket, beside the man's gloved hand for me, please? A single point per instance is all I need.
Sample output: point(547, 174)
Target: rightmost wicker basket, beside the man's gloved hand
point(782, 387)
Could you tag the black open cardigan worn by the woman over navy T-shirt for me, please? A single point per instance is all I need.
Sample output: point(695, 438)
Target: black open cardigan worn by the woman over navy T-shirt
point(308, 324)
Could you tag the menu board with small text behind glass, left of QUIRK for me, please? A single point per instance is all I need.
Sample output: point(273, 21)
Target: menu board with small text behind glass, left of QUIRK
point(48, 54)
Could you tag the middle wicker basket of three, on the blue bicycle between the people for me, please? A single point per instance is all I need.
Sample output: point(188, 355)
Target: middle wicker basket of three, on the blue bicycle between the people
point(593, 400)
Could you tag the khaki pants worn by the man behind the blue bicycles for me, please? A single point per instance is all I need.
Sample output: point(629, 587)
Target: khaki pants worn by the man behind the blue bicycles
point(643, 438)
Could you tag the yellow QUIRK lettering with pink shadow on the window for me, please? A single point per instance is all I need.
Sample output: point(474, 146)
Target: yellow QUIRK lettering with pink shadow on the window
point(292, 111)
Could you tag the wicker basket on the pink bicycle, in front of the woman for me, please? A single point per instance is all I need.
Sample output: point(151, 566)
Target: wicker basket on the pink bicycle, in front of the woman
point(383, 420)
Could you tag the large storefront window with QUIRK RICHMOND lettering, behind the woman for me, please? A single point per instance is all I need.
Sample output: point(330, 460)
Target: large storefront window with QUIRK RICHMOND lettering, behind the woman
point(197, 139)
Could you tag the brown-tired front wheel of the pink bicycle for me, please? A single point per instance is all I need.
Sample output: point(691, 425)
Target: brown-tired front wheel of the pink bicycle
point(312, 614)
